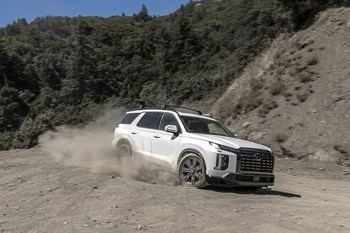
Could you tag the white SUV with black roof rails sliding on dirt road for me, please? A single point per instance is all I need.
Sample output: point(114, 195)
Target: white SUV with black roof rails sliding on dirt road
point(201, 149)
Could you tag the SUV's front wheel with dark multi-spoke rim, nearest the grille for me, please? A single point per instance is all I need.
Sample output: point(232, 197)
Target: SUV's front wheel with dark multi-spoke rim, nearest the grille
point(191, 171)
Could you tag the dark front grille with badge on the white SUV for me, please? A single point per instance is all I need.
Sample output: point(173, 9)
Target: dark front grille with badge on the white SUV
point(251, 160)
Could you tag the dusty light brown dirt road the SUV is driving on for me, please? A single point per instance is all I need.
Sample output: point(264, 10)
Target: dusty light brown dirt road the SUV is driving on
point(41, 195)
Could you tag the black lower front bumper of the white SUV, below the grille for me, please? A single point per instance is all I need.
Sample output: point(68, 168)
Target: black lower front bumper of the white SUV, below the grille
point(243, 179)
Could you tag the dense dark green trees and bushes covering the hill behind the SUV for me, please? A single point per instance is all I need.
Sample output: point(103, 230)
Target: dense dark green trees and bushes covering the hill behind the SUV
point(55, 70)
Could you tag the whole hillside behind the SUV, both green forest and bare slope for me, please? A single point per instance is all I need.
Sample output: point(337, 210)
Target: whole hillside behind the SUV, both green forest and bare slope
point(64, 71)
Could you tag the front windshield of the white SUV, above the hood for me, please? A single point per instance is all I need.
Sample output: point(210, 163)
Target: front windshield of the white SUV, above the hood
point(205, 126)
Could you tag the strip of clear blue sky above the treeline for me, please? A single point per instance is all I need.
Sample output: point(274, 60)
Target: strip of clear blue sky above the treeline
point(11, 10)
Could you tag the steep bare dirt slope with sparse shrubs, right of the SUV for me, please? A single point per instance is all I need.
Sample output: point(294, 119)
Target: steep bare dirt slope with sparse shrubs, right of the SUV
point(296, 96)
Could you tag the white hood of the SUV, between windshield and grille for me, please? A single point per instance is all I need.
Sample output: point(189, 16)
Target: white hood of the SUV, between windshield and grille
point(228, 141)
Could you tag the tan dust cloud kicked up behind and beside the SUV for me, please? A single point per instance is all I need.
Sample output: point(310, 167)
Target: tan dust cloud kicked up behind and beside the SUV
point(91, 147)
